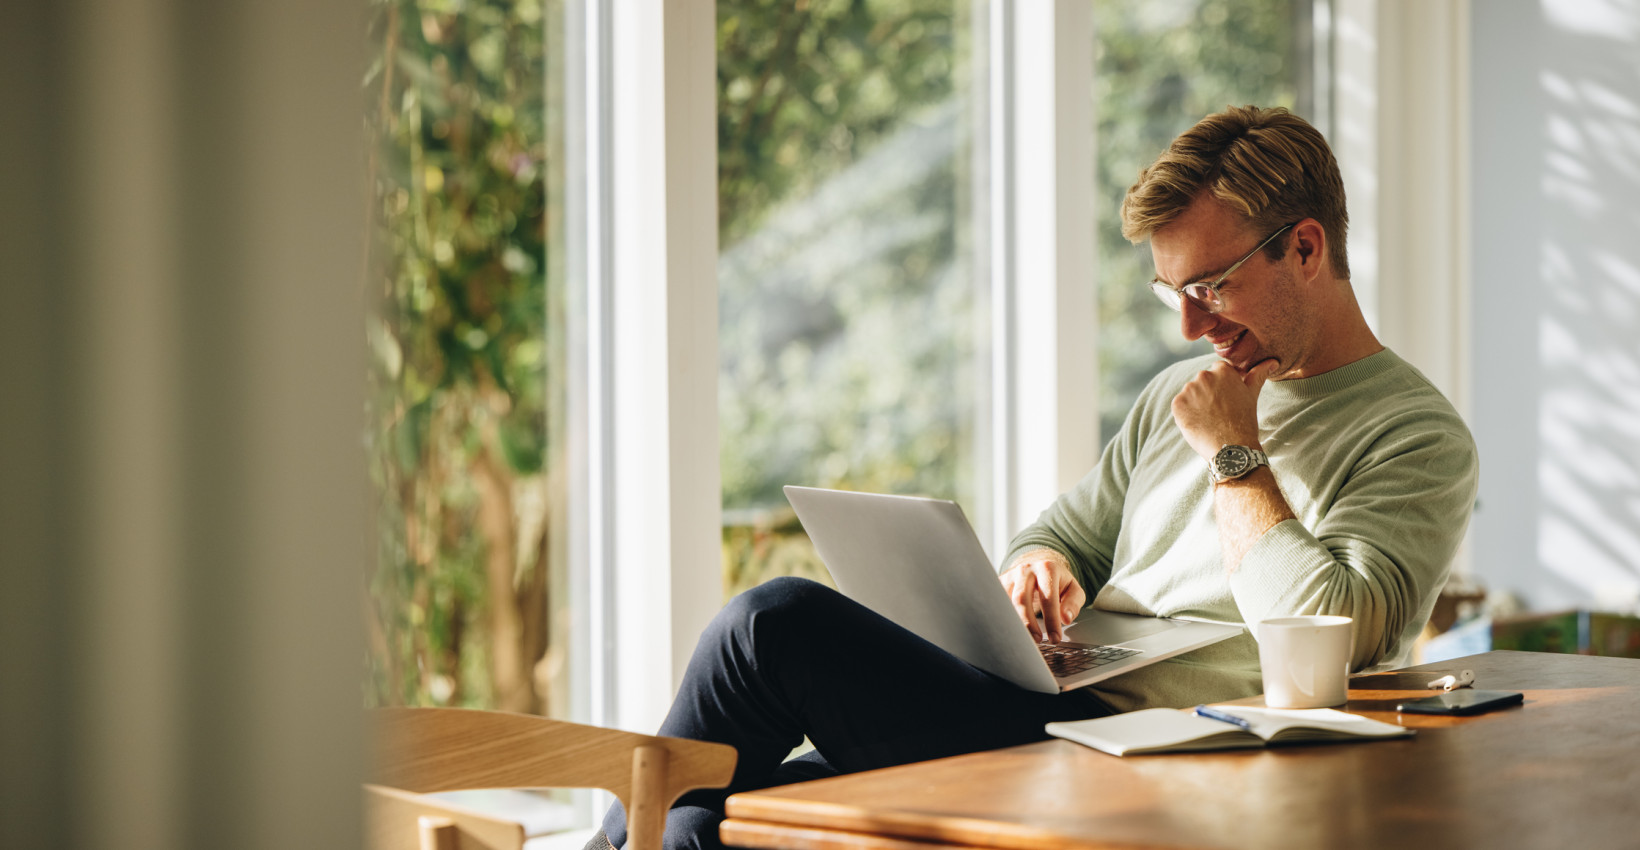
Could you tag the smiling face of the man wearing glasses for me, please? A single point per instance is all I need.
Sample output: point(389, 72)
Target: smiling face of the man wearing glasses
point(1265, 313)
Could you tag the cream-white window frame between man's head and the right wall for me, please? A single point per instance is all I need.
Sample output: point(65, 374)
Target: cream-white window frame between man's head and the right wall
point(1401, 139)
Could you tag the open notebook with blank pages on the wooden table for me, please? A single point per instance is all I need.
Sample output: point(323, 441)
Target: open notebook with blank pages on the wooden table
point(1177, 731)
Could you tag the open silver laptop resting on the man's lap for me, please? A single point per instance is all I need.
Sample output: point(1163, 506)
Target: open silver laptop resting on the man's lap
point(919, 564)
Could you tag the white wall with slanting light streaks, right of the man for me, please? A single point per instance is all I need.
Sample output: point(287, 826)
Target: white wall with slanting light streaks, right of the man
point(1557, 299)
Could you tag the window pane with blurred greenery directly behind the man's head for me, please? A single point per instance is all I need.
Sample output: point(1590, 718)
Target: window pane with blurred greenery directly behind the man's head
point(1159, 68)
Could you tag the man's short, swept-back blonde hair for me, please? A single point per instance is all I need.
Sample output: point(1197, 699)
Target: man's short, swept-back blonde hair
point(1267, 163)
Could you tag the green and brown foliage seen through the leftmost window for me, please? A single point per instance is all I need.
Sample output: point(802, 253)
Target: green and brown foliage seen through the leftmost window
point(462, 342)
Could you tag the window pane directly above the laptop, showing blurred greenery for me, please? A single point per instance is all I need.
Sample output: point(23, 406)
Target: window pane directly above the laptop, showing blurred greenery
point(852, 311)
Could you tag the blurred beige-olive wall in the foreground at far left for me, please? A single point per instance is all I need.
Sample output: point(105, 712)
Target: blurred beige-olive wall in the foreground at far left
point(183, 513)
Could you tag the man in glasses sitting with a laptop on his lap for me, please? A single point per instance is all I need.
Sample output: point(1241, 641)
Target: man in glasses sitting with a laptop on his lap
point(1298, 470)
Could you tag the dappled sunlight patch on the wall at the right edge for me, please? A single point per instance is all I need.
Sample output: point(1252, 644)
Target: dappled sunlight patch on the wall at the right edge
point(1588, 467)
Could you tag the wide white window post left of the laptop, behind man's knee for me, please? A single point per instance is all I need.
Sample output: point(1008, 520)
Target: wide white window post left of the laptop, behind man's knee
point(667, 503)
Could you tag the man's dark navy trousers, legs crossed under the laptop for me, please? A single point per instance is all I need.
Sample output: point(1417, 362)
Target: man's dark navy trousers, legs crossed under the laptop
point(793, 659)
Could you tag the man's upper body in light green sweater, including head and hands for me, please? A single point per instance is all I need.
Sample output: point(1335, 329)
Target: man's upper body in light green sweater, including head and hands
point(1370, 473)
